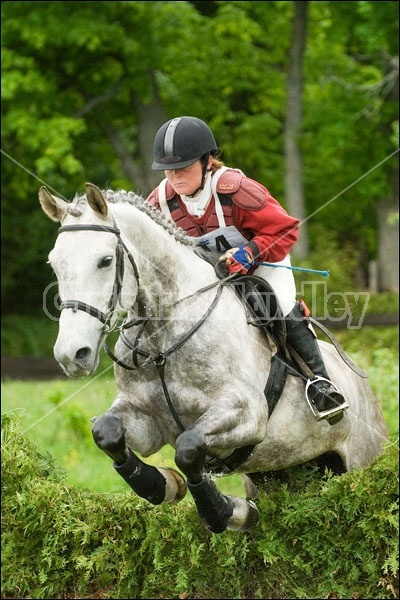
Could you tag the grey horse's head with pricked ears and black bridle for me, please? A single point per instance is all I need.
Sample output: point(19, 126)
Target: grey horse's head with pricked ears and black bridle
point(97, 277)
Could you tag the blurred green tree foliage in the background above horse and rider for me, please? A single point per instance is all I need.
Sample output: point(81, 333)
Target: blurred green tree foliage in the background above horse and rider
point(82, 102)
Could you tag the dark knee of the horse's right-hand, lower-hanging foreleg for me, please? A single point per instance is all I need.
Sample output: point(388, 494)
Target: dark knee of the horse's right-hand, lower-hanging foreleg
point(190, 455)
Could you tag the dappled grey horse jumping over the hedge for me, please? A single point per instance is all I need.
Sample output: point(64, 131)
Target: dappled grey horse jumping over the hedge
point(190, 371)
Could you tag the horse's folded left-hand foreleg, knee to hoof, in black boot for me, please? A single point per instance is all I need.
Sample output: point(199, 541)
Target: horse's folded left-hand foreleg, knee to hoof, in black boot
point(156, 485)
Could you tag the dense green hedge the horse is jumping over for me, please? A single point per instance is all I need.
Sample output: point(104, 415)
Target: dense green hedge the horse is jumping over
point(320, 536)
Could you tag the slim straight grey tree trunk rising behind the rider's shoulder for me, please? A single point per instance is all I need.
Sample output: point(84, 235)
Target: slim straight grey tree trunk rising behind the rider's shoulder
point(294, 191)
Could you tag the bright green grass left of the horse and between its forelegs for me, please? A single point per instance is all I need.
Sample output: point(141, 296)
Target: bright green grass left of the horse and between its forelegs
point(57, 416)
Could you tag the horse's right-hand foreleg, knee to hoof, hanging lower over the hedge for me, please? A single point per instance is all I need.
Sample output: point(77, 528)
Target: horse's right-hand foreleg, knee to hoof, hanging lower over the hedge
point(218, 512)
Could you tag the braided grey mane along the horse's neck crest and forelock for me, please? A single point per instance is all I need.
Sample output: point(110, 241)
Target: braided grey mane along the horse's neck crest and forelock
point(141, 204)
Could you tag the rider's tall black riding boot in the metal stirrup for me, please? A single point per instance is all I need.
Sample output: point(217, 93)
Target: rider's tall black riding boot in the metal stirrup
point(324, 398)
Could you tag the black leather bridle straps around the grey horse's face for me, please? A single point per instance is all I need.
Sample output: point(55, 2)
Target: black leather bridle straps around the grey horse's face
point(105, 318)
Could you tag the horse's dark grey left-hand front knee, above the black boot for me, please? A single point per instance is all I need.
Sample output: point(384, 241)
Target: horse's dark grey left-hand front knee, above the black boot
point(108, 434)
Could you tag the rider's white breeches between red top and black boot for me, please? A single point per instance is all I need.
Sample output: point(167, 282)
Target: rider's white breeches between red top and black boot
point(282, 282)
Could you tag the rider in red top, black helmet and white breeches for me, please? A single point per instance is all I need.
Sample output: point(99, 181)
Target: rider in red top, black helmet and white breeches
point(230, 212)
